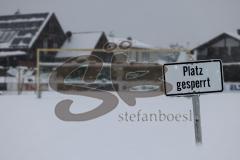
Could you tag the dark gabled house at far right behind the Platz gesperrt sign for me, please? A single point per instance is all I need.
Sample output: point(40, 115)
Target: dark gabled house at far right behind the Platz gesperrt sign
point(226, 47)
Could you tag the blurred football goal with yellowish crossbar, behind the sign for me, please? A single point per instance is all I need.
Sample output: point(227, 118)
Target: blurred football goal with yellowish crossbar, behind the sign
point(109, 69)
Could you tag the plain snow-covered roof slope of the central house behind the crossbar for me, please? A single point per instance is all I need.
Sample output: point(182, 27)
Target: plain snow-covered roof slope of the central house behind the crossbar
point(84, 40)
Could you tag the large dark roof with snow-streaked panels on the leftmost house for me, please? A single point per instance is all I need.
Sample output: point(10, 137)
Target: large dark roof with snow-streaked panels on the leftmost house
point(20, 31)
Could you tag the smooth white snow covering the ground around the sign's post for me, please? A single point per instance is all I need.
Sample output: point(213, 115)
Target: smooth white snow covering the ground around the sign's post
point(31, 131)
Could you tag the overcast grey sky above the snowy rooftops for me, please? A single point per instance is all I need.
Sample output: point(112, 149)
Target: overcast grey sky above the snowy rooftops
point(156, 22)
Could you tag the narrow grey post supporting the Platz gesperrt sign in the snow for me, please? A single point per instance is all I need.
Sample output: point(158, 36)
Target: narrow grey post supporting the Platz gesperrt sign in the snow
point(197, 119)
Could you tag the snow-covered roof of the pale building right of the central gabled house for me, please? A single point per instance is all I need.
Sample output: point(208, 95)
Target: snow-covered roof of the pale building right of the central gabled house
point(135, 43)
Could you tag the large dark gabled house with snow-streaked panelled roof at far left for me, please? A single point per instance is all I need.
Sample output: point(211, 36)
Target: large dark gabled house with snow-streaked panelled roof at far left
point(22, 34)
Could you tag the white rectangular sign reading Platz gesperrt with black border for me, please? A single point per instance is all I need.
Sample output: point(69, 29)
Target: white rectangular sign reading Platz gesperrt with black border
point(193, 77)
